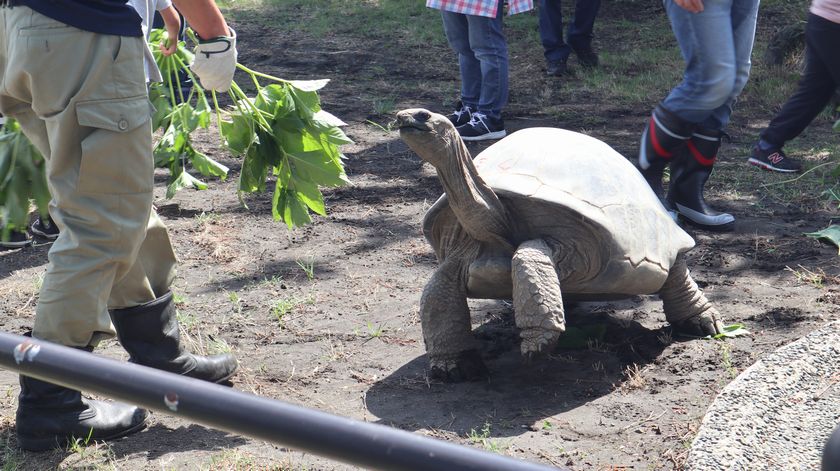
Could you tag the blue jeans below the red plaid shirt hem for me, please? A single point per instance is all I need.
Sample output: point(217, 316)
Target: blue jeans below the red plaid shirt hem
point(482, 58)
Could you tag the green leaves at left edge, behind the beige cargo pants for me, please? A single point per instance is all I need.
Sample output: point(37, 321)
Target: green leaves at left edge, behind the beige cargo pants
point(22, 179)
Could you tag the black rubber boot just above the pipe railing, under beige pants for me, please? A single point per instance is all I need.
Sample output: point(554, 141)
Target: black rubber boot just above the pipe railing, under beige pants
point(151, 336)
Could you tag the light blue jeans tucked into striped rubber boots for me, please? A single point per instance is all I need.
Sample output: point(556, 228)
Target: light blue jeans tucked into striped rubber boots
point(716, 45)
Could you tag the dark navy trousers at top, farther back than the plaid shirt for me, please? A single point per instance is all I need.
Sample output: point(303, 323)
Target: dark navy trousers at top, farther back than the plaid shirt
point(579, 34)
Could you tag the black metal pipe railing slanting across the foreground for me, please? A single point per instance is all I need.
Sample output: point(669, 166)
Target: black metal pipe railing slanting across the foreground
point(343, 439)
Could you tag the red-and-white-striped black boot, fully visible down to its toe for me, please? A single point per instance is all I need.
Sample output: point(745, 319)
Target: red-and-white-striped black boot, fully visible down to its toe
point(689, 173)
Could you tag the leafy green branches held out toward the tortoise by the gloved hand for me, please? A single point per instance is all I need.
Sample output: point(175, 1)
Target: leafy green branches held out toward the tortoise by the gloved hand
point(281, 130)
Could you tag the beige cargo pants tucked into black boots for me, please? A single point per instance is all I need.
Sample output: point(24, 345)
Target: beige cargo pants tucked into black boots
point(81, 98)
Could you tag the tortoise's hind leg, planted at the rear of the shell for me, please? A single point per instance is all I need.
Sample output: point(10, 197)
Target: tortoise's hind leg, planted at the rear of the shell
point(686, 307)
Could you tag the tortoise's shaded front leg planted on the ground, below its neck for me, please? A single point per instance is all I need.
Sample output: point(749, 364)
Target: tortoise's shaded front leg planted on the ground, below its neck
point(447, 331)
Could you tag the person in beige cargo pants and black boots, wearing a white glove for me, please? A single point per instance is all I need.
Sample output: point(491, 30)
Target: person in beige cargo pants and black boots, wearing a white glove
point(76, 84)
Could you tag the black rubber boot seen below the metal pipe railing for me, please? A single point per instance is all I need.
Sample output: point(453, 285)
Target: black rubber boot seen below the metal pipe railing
point(50, 416)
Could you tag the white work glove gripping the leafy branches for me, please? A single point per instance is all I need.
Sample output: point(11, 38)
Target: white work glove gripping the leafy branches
point(215, 61)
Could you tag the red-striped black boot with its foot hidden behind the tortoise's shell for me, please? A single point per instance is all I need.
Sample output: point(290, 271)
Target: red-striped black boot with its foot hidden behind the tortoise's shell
point(664, 136)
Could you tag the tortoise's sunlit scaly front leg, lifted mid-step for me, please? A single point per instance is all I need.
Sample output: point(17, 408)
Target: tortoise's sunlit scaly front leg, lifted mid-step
point(537, 301)
